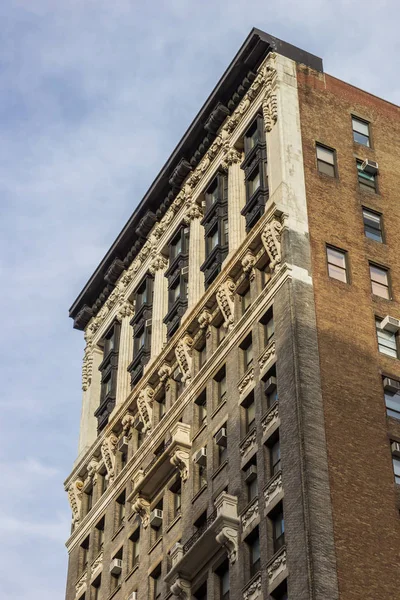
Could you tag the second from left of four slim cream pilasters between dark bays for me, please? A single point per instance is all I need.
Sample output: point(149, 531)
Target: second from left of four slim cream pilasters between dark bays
point(160, 305)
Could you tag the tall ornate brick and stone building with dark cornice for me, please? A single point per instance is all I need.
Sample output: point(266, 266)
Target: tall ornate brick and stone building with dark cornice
point(263, 262)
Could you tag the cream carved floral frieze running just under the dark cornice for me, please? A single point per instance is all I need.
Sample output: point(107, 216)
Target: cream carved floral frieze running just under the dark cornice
point(266, 78)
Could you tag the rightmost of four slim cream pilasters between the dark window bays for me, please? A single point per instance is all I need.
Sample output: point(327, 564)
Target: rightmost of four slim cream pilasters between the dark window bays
point(236, 198)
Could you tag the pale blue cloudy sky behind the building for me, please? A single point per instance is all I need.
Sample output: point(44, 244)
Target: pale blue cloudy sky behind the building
point(94, 96)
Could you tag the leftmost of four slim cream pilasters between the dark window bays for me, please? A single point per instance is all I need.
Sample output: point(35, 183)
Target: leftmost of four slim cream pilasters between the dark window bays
point(125, 352)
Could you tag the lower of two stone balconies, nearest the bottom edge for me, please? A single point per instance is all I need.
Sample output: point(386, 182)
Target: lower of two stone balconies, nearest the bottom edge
point(220, 529)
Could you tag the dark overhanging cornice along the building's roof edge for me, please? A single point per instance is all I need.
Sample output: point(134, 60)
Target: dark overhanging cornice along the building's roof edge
point(187, 154)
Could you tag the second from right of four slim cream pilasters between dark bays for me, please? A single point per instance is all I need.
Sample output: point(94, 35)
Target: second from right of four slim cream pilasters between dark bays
point(196, 254)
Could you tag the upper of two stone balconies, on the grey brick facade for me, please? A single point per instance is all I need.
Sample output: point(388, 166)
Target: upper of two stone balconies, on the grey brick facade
point(174, 454)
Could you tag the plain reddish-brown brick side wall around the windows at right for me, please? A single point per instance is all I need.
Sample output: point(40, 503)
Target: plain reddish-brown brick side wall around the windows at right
point(365, 507)
